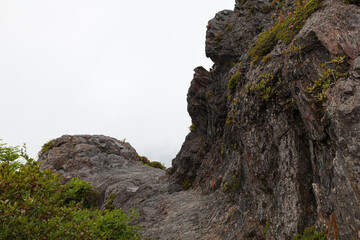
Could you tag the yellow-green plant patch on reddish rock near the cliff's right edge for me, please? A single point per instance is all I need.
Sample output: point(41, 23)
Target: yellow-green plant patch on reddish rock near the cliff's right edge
point(329, 75)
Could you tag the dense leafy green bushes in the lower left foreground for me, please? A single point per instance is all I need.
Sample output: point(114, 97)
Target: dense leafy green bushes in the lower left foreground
point(35, 205)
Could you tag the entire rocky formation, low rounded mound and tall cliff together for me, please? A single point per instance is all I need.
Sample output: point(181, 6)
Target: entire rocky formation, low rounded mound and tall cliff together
point(275, 141)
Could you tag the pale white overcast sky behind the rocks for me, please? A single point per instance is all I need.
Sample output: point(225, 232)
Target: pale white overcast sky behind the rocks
point(112, 67)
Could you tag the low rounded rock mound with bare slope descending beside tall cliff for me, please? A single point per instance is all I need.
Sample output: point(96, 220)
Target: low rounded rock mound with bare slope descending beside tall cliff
point(112, 166)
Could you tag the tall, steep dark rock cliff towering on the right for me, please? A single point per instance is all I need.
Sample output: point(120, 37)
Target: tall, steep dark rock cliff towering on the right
point(286, 158)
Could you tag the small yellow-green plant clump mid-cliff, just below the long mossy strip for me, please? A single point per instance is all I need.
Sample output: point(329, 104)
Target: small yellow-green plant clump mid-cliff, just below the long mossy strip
point(266, 88)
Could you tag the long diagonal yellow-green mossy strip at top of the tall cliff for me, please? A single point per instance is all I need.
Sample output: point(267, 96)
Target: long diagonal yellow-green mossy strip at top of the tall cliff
point(284, 30)
